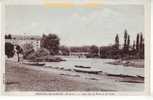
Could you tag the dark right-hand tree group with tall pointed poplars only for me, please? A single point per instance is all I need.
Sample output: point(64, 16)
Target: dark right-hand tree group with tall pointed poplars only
point(128, 51)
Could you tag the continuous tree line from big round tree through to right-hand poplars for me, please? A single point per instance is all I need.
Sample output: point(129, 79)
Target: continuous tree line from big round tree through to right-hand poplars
point(115, 51)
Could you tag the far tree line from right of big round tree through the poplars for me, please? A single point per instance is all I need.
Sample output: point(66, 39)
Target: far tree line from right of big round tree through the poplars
point(127, 50)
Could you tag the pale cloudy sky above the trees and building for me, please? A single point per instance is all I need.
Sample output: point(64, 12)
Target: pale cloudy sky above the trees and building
point(76, 26)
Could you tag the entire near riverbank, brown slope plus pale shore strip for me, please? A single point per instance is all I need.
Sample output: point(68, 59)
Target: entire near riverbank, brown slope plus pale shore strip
point(21, 77)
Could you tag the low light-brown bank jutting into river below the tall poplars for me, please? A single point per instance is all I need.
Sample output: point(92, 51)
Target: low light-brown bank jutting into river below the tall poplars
point(138, 63)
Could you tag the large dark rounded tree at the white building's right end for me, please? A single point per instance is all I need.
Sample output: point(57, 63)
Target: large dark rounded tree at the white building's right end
point(51, 42)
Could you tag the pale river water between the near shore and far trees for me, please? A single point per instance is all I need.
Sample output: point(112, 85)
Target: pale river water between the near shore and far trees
point(97, 64)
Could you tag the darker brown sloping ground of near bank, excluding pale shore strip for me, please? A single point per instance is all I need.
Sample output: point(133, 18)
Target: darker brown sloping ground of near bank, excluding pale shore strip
point(20, 78)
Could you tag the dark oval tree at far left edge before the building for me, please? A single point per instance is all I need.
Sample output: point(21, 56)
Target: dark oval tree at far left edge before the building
point(9, 50)
